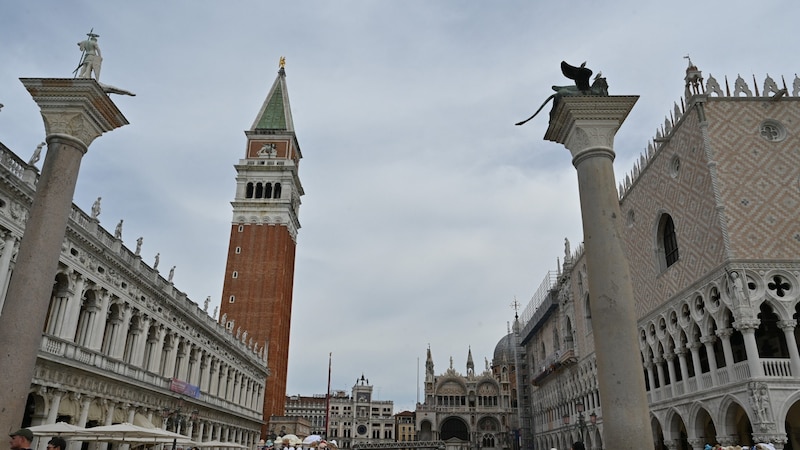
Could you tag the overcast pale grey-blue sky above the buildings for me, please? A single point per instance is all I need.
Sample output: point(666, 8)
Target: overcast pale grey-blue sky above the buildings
point(427, 212)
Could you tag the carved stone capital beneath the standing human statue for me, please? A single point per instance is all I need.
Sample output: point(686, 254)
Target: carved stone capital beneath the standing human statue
point(74, 107)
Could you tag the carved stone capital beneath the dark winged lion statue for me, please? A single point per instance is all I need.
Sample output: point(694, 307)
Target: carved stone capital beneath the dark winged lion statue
point(587, 122)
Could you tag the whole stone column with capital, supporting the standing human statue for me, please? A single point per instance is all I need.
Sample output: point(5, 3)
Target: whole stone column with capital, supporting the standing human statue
point(75, 112)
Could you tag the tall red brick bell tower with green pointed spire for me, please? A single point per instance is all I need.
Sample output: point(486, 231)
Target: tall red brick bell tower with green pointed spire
point(257, 292)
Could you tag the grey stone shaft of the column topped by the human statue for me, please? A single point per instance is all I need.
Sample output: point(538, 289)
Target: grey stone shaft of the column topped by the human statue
point(35, 269)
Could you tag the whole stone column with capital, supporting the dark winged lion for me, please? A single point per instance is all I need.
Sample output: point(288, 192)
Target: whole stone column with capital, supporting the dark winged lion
point(586, 125)
